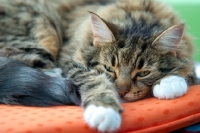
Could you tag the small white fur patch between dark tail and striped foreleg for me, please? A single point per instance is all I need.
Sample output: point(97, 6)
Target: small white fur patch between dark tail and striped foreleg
point(55, 72)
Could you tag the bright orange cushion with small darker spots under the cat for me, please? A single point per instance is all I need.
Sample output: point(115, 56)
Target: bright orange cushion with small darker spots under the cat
point(148, 115)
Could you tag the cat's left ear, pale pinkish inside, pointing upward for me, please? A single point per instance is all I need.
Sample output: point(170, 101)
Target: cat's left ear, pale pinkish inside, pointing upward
point(101, 32)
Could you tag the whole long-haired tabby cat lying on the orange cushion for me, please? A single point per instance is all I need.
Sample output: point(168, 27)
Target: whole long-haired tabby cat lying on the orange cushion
point(107, 51)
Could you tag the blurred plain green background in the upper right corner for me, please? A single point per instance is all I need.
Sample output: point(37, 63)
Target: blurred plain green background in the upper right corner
point(189, 11)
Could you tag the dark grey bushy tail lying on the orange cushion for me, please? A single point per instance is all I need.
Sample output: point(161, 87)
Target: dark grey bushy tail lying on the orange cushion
point(23, 85)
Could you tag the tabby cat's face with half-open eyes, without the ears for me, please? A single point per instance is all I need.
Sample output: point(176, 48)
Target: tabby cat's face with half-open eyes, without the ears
point(133, 69)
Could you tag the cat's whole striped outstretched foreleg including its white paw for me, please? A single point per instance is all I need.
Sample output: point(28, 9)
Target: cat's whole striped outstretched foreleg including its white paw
point(99, 97)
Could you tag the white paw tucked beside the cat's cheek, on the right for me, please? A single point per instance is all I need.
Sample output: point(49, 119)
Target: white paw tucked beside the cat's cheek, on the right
point(170, 87)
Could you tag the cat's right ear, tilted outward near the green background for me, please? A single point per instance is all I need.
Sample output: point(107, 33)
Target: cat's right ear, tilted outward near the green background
point(170, 39)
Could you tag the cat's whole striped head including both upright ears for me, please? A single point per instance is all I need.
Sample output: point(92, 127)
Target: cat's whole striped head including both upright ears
point(135, 62)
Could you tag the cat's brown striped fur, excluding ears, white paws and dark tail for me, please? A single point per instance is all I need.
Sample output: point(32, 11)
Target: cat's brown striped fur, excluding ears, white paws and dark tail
point(62, 29)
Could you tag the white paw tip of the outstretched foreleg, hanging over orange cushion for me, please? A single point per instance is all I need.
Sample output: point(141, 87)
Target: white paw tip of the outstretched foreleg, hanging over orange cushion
point(104, 119)
